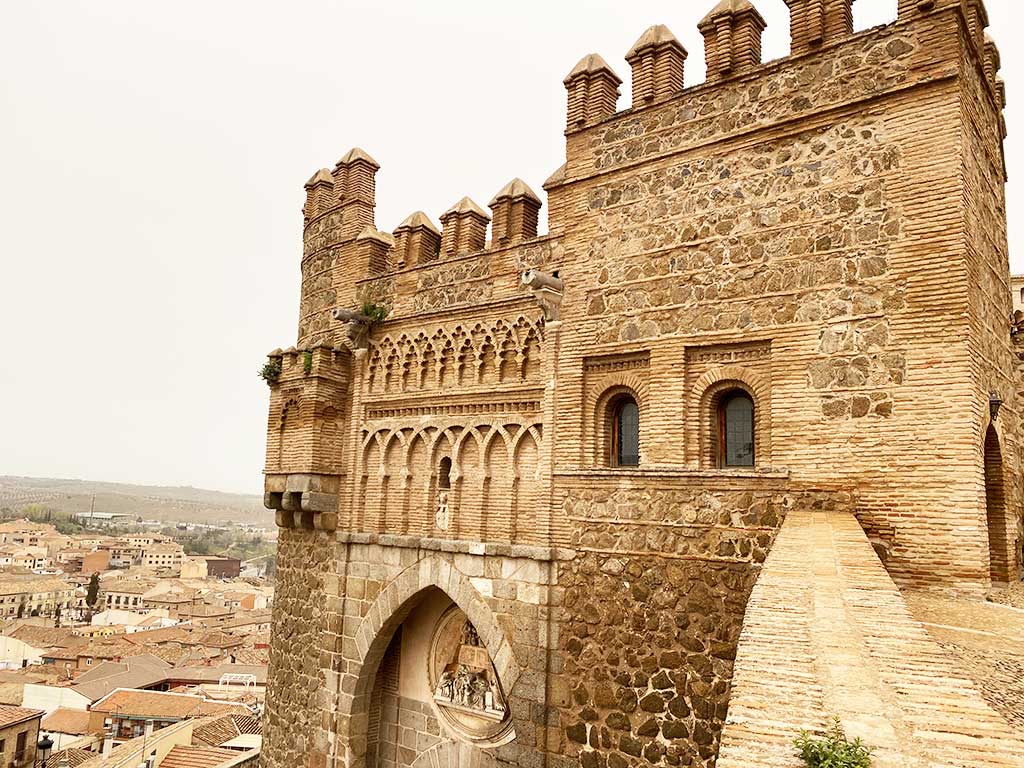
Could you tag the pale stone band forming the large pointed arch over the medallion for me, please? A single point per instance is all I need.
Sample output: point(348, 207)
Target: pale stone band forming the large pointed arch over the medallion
point(394, 606)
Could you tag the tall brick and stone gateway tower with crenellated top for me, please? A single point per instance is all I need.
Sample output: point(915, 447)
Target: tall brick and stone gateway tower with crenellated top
point(527, 484)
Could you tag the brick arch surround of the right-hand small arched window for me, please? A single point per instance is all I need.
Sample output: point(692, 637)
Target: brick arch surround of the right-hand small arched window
point(701, 417)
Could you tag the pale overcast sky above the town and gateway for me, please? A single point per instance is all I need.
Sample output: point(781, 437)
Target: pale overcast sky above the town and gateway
point(152, 162)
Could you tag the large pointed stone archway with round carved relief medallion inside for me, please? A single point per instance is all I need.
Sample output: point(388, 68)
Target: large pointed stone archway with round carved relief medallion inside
point(416, 627)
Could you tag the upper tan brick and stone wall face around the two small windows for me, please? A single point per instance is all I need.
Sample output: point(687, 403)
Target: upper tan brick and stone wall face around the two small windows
point(803, 209)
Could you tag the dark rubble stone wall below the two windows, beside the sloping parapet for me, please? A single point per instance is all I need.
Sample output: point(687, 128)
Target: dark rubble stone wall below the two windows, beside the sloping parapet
point(654, 605)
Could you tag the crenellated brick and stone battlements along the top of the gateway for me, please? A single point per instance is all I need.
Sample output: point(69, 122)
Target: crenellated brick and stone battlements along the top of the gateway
point(348, 260)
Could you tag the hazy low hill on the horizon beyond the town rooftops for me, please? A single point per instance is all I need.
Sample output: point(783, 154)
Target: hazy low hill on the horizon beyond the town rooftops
point(150, 502)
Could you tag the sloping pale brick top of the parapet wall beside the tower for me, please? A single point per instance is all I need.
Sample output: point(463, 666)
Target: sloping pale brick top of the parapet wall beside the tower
point(828, 633)
